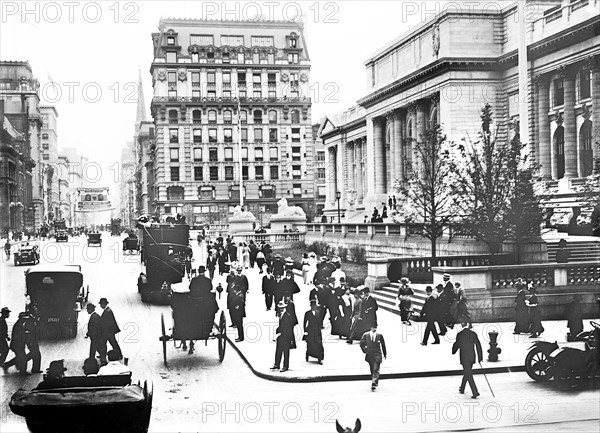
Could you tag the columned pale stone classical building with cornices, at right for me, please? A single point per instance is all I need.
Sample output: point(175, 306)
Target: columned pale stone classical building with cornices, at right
point(445, 70)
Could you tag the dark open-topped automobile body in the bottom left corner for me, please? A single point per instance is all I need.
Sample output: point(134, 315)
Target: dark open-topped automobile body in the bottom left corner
point(87, 403)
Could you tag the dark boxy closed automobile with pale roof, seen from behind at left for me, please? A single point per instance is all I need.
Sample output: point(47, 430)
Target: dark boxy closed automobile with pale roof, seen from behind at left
point(57, 295)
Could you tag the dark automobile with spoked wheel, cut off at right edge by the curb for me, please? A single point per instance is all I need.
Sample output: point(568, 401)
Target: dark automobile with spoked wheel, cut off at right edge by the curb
point(569, 363)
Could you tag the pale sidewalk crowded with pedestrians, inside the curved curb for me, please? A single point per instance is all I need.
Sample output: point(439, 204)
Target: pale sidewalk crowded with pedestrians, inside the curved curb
point(406, 356)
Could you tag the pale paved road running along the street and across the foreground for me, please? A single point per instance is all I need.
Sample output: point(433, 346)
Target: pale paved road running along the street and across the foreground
point(197, 393)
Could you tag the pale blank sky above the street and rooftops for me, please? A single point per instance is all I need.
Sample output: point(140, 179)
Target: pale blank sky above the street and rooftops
point(86, 55)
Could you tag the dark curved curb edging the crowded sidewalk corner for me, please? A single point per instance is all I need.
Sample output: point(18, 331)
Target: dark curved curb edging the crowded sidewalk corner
point(356, 377)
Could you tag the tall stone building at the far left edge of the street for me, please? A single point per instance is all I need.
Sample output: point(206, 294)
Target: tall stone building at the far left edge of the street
point(19, 94)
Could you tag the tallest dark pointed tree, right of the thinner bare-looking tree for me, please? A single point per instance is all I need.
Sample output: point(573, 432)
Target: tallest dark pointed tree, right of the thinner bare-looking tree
point(486, 180)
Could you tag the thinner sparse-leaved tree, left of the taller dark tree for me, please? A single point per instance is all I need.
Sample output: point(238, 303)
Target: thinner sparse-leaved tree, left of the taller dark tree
point(428, 197)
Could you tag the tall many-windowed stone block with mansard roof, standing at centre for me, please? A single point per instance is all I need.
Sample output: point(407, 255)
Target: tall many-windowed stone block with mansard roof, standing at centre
point(201, 71)
